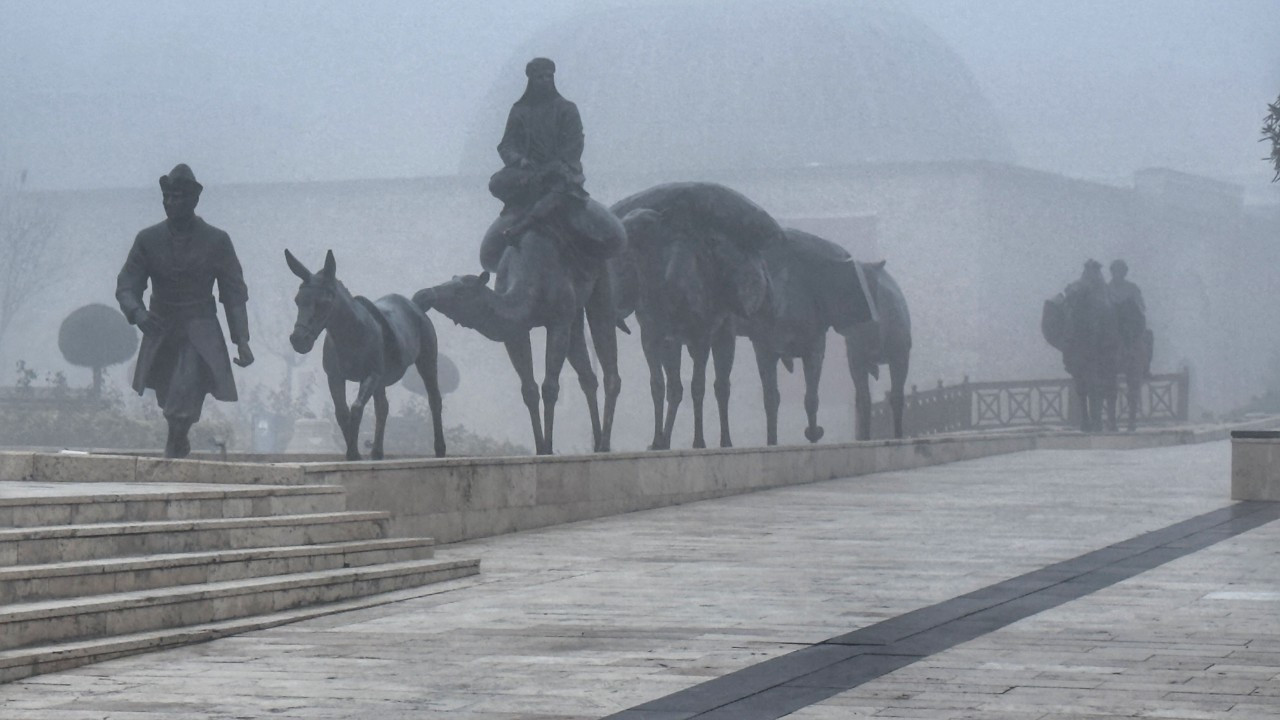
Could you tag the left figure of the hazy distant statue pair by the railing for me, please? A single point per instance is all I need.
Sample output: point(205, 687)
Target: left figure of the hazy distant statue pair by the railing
point(1081, 322)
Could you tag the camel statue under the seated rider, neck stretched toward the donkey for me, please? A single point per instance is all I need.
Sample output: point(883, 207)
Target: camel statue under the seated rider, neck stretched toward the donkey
point(546, 280)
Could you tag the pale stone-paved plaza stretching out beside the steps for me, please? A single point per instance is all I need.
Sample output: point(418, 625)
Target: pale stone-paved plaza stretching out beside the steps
point(611, 617)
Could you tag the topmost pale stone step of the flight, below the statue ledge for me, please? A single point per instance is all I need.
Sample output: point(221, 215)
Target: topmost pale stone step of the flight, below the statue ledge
point(168, 505)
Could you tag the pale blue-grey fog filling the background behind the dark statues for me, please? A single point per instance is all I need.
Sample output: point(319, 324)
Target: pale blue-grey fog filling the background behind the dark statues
point(278, 107)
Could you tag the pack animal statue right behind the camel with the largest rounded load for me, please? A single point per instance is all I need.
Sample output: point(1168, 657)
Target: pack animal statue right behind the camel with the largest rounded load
point(816, 288)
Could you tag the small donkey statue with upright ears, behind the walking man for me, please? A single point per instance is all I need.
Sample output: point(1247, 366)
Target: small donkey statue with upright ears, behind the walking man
point(367, 343)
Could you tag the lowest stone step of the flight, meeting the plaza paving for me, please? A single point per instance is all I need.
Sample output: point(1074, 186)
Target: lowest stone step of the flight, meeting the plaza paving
point(25, 663)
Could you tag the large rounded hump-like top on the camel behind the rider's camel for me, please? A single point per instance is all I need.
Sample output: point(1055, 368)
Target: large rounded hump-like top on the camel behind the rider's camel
point(705, 207)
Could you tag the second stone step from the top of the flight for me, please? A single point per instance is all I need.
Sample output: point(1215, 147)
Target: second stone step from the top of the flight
point(67, 544)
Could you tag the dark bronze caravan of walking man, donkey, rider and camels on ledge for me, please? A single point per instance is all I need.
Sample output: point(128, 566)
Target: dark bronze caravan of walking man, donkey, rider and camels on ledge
point(698, 265)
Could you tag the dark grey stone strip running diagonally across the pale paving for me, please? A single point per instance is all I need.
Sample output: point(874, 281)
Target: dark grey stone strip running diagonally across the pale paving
point(784, 685)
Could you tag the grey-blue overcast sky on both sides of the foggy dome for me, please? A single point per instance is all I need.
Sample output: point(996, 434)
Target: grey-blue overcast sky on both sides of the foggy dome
point(113, 93)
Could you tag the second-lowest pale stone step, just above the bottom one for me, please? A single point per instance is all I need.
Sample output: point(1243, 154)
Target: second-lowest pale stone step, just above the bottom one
point(68, 621)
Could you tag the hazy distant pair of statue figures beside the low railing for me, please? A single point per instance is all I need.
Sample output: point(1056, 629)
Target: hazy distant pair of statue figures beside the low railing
point(1101, 330)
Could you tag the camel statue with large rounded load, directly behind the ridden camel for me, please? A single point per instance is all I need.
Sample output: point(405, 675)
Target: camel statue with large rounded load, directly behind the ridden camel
point(694, 262)
